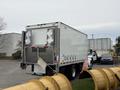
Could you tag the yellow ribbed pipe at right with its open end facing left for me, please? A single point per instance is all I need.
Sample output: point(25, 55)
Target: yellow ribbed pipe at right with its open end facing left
point(105, 78)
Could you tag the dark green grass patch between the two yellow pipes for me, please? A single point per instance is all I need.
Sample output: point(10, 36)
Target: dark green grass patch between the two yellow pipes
point(83, 84)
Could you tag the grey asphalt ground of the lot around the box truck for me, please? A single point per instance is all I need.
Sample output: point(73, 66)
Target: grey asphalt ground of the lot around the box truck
point(11, 74)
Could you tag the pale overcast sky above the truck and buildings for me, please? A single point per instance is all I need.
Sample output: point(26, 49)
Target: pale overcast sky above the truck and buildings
point(98, 17)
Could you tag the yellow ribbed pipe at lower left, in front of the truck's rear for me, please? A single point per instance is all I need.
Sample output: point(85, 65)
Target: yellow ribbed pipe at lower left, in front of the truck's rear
point(56, 82)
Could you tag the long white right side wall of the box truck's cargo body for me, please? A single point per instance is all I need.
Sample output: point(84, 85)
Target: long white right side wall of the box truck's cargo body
point(73, 44)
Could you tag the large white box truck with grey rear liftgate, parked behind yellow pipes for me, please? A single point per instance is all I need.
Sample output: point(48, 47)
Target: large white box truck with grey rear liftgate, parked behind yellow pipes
point(54, 47)
